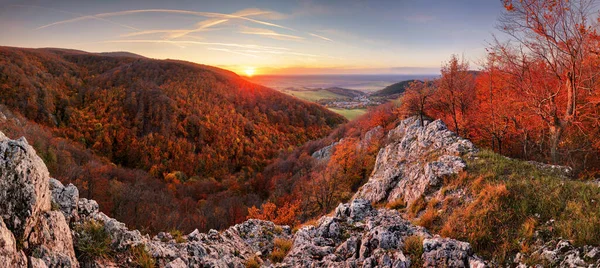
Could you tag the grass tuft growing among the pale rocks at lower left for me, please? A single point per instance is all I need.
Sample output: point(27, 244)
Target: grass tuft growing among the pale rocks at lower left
point(93, 242)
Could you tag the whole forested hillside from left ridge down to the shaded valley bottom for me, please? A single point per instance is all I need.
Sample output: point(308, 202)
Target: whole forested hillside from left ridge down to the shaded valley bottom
point(194, 131)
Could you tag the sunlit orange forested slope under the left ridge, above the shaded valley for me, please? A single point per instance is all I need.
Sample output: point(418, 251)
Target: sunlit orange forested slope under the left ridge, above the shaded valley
point(160, 116)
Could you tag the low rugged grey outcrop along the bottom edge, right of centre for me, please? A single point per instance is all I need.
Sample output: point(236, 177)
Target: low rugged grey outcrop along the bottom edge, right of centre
point(357, 235)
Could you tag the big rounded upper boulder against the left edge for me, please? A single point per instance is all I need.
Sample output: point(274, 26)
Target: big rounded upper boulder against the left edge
point(24, 189)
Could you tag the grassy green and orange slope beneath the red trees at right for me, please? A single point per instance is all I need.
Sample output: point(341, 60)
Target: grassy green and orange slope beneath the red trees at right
point(511, 200)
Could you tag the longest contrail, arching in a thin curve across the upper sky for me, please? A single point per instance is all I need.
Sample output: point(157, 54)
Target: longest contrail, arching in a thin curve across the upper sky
point(176, 11)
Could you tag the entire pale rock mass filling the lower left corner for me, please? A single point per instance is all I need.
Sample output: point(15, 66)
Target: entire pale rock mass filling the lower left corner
point(28, 223)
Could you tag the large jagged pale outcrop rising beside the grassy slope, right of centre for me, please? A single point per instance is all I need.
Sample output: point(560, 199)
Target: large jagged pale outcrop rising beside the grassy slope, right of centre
point(415, 161)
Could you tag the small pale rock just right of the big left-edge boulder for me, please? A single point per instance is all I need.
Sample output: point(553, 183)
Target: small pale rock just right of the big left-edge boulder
point(67, 198)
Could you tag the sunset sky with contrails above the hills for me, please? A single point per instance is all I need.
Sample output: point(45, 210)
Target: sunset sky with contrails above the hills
point(264, 37)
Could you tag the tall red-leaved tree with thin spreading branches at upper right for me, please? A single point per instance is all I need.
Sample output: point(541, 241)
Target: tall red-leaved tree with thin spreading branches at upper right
point(555, 36)
